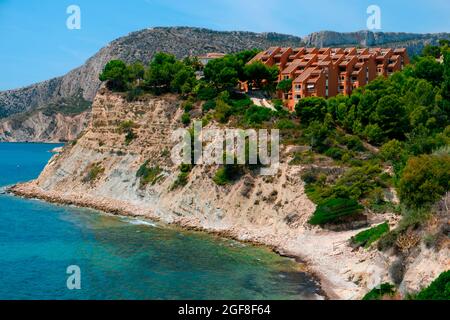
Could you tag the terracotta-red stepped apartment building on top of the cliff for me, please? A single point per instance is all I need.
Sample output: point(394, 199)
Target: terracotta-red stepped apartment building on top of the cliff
point(327, 72)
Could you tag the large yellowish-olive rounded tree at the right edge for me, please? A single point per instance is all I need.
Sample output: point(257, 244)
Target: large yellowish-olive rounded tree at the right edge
point(425, 179)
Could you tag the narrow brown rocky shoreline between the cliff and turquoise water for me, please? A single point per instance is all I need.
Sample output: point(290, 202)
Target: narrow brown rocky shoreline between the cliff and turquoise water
point(22, 190)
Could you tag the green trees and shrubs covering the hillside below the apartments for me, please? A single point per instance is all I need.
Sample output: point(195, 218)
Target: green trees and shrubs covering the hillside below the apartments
point(390, 137)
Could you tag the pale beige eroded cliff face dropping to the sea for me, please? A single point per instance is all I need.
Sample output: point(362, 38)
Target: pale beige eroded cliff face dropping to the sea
point(100, 170)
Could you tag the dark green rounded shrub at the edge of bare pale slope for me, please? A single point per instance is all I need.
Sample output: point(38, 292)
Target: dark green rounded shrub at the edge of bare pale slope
point(335, 211)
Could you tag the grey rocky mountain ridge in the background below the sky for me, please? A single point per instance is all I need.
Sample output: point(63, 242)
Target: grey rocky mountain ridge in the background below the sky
point(25, 115)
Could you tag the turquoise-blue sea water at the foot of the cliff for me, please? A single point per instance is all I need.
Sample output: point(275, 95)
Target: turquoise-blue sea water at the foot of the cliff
point(122, 258)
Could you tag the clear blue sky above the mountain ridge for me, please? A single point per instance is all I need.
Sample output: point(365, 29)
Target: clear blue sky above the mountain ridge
point(36, 44)
